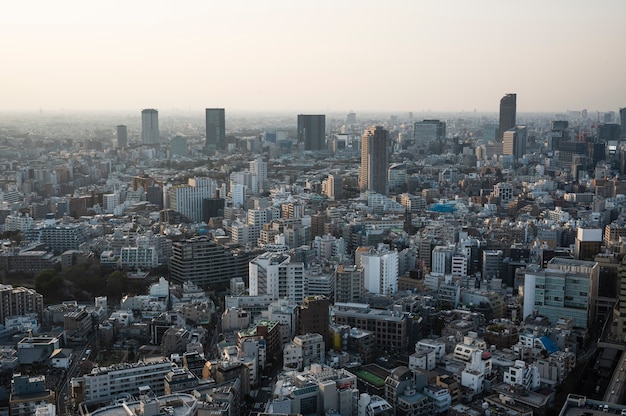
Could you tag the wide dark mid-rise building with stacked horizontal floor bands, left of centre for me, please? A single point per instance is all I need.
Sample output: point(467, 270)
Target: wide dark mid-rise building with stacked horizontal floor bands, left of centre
point(204, 262)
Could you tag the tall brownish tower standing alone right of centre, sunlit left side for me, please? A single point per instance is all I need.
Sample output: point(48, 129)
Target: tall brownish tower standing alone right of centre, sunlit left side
point(374, 160)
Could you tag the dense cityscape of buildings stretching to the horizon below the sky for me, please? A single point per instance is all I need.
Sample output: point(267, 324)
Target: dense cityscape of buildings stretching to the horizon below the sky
point(208, 263)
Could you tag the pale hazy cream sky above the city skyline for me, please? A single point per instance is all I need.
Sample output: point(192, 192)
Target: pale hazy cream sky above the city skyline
point(337, 55)
